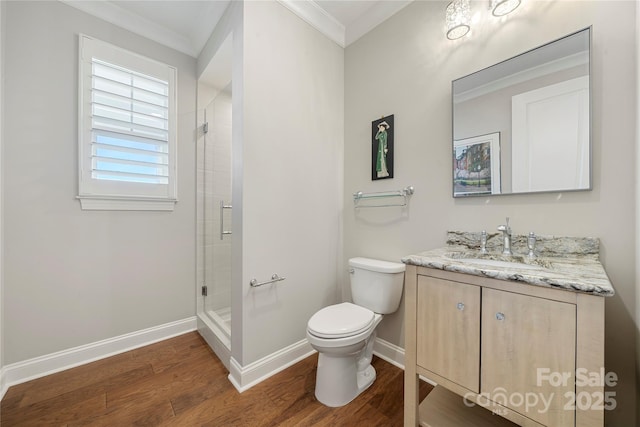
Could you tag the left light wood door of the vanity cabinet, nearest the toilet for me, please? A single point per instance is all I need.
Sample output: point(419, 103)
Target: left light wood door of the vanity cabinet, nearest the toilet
point(448, 330)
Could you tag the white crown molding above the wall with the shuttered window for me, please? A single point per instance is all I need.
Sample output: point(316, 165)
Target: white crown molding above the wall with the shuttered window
point(135, 23)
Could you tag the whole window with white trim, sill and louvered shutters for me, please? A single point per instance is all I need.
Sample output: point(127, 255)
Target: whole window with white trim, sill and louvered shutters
point(127, 135)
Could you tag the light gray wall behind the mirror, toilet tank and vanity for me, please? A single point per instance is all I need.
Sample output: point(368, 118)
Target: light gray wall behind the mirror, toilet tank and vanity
point(405, 67)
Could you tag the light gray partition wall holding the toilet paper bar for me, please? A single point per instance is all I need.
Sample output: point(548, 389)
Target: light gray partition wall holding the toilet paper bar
point(292, 176)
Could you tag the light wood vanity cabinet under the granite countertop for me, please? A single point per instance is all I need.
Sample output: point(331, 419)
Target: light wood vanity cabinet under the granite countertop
point(511, 348)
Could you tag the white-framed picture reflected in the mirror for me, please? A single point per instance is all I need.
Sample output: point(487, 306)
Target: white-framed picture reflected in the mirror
point(476, 165)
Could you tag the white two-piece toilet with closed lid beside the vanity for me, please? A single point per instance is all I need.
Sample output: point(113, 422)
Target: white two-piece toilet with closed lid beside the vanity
point(344, 334)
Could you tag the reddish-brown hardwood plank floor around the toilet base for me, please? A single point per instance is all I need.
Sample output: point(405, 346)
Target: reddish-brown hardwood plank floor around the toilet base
point(181, 382)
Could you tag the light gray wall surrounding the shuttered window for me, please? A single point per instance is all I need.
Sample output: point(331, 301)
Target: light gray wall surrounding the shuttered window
point(74, 277)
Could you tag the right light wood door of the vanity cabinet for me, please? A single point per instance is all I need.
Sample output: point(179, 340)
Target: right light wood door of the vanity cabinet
point(528, 355)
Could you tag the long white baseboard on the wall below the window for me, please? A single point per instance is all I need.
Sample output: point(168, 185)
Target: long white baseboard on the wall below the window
point(20, 372)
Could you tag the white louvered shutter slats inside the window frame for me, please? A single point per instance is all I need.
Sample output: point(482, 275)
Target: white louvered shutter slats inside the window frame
point(129, 122)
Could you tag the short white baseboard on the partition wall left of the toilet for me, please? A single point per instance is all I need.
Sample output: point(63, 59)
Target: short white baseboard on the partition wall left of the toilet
point(245, 377)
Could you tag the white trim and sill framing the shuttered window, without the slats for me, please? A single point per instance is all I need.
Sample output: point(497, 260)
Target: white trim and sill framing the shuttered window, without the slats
point(109, 195)
